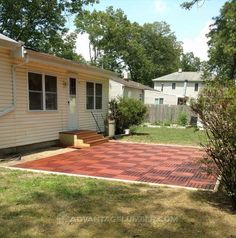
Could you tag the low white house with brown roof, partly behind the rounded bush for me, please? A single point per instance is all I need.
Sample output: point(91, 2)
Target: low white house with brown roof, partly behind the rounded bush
point(119, 87)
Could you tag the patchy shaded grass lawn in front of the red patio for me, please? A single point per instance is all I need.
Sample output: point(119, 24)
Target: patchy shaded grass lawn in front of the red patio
point(39, 205)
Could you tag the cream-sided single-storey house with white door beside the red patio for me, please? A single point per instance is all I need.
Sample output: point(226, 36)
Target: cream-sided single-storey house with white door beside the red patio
point(42, 95)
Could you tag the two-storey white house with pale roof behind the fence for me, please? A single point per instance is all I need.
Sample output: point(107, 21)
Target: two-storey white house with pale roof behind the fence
point(184, 85)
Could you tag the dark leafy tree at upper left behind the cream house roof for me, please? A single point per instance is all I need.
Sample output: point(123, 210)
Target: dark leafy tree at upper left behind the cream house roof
point(41, 24)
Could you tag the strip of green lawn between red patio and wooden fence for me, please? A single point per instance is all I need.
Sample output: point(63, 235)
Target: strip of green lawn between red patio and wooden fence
point(166, 135)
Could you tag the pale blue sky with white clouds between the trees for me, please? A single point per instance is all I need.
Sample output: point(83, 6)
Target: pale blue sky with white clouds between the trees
point(189, 26)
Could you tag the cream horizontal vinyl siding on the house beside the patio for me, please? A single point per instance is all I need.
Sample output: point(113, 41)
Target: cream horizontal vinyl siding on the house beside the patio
point(23, 127)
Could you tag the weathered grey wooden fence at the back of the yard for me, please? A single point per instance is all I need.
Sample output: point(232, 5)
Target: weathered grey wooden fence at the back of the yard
point(168, 113)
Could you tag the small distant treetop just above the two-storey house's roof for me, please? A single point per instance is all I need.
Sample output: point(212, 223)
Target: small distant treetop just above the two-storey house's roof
point(189, 62)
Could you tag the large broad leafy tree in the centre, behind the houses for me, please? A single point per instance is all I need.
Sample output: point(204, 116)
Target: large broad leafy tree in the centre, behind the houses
point(147, 51)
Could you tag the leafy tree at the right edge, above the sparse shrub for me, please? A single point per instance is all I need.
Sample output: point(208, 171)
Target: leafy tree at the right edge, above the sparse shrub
point(222, 42)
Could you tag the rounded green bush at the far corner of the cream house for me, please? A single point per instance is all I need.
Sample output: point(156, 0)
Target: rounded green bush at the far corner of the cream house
point(127, 112)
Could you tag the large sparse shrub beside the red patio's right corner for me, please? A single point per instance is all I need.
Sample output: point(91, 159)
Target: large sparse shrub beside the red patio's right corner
point(216, 107)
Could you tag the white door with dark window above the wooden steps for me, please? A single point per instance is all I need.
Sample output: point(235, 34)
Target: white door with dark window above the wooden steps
point(72, 103)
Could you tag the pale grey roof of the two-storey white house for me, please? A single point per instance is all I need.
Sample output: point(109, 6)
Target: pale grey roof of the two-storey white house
point(180, 76)
